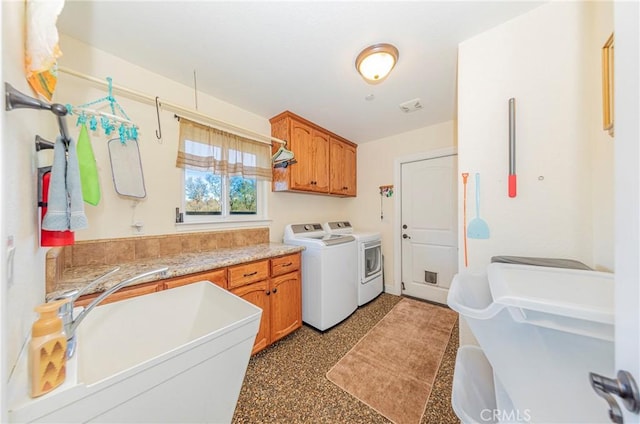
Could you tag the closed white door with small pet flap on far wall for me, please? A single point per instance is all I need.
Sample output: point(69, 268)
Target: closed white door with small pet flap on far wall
point(429, 227)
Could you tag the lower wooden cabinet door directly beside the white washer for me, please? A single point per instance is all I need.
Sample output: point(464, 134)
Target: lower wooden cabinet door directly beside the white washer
point(286, 305)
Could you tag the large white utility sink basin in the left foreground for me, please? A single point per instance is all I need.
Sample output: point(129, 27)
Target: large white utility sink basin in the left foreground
point(177, 355)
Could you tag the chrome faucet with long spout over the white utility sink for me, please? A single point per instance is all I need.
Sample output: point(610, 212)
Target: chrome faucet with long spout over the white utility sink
point(65, 312)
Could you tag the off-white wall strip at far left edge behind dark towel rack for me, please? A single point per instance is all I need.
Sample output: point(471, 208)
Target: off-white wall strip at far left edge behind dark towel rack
point(19, 199)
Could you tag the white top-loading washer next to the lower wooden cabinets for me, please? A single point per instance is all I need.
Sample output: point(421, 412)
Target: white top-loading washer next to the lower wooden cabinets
point(329, 274)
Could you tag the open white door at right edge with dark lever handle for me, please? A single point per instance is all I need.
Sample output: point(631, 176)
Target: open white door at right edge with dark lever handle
point(627, 208)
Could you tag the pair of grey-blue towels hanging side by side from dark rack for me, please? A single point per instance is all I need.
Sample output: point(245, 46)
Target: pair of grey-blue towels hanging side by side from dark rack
point(65, 208)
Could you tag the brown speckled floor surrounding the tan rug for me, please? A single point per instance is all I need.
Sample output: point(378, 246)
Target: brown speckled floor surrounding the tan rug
point(286, 383)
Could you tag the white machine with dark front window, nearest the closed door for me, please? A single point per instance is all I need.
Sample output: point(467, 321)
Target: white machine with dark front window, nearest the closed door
point(369, 248)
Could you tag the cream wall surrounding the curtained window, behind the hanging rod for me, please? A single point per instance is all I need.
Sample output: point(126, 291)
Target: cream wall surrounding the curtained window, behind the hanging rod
point(113, 217)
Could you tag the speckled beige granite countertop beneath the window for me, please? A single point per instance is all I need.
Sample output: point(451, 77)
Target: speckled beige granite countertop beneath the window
point(179, 265)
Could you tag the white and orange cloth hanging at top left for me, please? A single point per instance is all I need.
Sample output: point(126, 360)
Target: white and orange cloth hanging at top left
point(42, 49)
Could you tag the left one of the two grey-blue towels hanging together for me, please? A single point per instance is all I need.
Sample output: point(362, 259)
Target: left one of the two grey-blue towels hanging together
point(56, 218)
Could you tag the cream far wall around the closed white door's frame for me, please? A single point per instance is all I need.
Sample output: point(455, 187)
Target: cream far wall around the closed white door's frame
point(376, 161)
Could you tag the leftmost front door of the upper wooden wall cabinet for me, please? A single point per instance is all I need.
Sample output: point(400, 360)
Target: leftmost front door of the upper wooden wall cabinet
point(302, 174)
